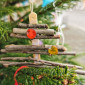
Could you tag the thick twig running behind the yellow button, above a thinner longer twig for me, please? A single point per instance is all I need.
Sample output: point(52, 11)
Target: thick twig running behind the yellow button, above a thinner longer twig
point(33, 47)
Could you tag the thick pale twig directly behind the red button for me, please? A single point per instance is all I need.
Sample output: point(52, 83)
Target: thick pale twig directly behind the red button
point(38, 31)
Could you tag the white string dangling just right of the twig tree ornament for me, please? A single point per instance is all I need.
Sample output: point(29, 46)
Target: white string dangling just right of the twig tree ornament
point(59, 28)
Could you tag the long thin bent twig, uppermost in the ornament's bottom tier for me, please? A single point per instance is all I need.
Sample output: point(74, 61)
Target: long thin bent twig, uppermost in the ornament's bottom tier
point(42, 62)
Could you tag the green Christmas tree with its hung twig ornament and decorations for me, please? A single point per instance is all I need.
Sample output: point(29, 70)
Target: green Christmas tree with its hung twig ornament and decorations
point(23, 34)
